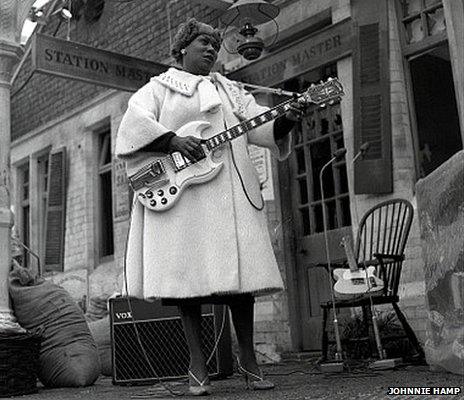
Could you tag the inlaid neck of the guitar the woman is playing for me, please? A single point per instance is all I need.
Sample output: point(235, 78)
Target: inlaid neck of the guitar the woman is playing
point(244, 127)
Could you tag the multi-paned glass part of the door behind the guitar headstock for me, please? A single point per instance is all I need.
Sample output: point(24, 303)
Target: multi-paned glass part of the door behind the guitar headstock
point(316, 138)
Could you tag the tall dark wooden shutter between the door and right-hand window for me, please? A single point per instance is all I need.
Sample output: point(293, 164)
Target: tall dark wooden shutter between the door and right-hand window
point(371, 98)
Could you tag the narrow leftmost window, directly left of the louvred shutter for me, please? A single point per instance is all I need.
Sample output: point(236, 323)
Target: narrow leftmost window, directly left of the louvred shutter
point(24, 204)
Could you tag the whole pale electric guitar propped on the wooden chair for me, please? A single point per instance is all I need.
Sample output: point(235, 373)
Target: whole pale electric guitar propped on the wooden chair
point(355, 281)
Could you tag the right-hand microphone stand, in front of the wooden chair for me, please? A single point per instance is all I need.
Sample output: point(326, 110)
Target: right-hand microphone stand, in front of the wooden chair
point(383, 362)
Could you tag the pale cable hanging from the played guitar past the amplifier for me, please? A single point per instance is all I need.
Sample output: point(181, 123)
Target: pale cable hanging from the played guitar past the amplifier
point(137, 333)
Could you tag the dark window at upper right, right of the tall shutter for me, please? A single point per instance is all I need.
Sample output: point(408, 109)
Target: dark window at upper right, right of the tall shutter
point(433, 101)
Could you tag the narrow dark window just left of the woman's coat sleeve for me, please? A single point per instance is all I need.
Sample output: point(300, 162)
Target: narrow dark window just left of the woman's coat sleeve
point(105, 194)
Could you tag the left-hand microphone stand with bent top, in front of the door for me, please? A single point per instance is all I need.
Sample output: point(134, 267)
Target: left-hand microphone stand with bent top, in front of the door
point(338, 365)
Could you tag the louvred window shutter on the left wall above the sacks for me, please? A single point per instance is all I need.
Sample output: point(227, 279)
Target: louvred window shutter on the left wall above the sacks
point(56, 211)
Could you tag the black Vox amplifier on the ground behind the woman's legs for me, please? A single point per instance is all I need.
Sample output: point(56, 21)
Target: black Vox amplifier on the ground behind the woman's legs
point(148, 342)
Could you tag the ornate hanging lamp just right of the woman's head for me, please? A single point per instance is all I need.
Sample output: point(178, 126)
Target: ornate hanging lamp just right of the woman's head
point(241, 20)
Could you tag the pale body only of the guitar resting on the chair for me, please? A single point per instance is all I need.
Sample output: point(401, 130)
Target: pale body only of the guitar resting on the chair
point(353, 283)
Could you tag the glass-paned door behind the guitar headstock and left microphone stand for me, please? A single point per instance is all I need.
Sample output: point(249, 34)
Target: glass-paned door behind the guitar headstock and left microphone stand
point(317, 137)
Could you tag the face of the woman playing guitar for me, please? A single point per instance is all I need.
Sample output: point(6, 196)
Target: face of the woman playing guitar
point(200, 55)
